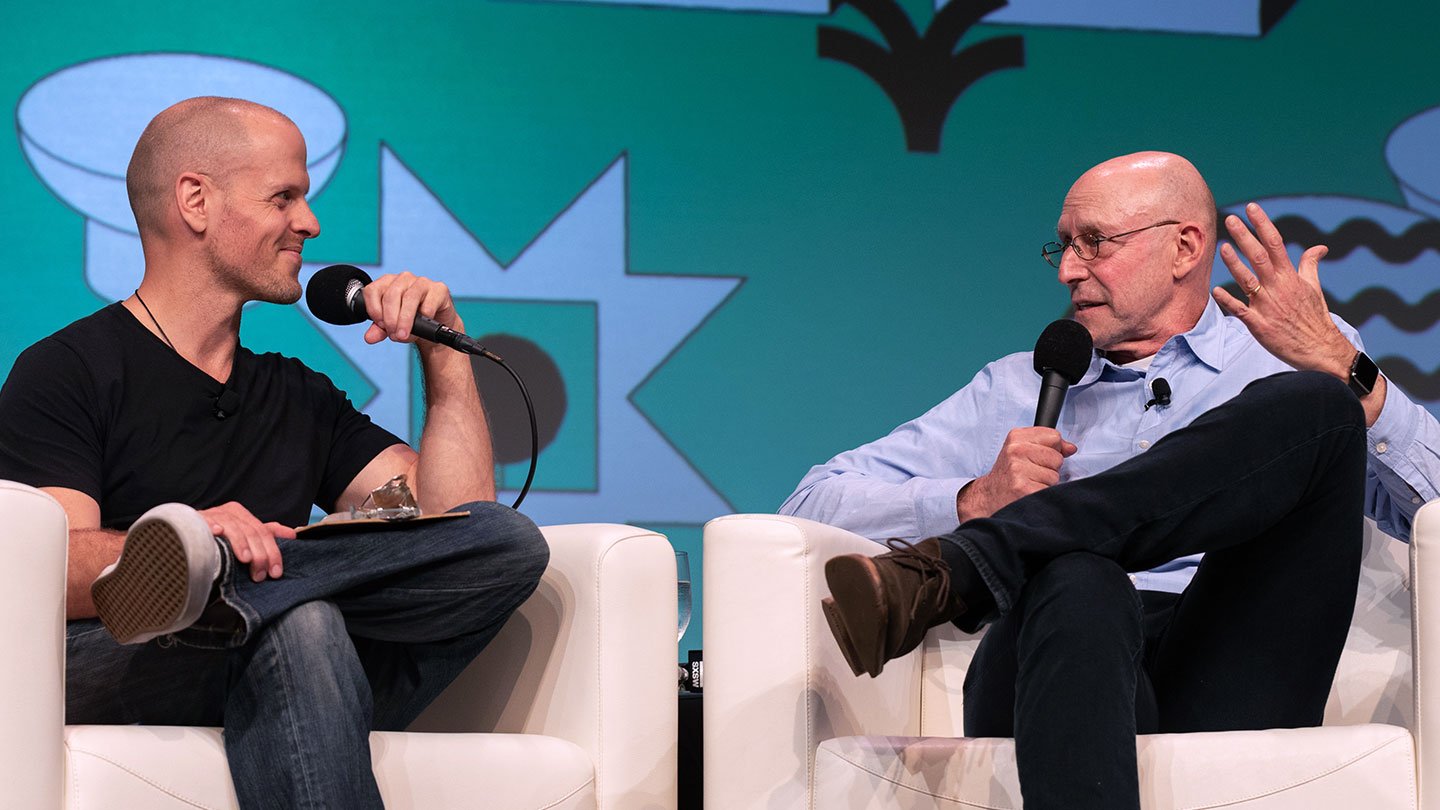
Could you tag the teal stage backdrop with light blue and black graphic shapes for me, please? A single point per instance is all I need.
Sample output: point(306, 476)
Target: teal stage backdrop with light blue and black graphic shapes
point(726, 253)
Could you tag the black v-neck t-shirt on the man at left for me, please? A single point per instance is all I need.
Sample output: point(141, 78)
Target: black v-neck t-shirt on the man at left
point(107, 409)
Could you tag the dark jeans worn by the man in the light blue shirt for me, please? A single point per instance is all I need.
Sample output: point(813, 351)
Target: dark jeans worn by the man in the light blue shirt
point(1271, 486)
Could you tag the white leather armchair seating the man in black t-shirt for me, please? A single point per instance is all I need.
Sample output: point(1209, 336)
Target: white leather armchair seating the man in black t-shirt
point(577, 695)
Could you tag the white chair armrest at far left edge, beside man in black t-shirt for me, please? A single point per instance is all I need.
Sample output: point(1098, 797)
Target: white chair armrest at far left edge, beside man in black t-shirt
point(32, 628)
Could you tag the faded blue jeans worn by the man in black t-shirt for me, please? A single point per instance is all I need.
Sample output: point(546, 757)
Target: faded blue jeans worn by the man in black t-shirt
point(361, 633)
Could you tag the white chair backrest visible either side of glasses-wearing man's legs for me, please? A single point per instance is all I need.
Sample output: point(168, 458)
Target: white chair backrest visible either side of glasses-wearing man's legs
point(1373, 682)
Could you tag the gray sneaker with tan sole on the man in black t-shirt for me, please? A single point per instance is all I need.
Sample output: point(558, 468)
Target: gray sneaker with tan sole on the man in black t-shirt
point(163, 577)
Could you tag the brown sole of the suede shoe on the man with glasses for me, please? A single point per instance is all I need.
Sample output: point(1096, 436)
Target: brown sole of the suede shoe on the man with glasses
point(858, 613)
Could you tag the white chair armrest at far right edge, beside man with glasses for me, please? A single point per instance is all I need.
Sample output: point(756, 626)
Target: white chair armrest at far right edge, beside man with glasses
point(1425, 603)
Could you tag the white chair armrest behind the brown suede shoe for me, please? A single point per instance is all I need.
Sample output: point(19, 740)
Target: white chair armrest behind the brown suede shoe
point(775, 681)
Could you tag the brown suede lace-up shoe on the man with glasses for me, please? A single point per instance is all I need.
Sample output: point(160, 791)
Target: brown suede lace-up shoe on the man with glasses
point(882, 606)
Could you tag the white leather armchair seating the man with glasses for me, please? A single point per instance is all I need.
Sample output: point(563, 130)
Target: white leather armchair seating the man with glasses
point(788, 727)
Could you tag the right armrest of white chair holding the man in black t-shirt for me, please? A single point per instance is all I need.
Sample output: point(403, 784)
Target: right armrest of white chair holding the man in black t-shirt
point(588, 658)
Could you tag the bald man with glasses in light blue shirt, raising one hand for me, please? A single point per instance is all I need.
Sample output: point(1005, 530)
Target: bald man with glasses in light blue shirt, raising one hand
point(1079, 547)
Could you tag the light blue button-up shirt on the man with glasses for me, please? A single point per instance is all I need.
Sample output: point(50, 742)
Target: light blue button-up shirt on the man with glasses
point(905, 485)
